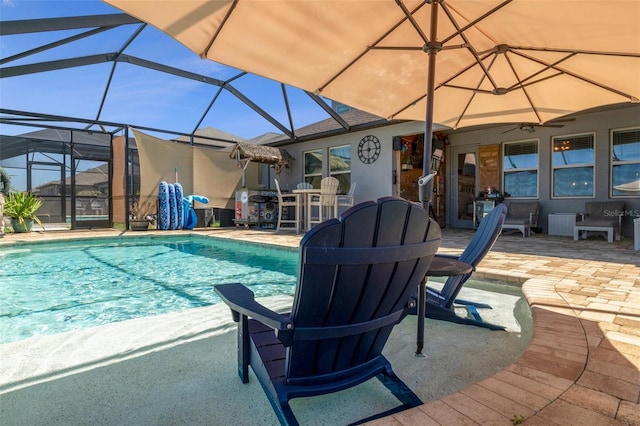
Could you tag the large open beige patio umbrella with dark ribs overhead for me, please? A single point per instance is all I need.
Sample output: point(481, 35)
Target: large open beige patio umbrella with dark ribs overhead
point(455, 62)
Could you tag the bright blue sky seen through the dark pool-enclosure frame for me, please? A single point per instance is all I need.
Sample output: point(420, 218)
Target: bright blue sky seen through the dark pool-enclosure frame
point(138, 96)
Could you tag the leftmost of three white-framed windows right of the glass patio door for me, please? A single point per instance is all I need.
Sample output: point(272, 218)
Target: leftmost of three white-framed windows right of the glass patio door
point(520, 167)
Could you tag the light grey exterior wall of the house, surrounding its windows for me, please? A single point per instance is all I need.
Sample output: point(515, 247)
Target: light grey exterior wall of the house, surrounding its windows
point(376, 180)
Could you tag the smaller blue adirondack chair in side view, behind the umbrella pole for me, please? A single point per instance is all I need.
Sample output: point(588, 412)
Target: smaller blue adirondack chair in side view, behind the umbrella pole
point(440, 303)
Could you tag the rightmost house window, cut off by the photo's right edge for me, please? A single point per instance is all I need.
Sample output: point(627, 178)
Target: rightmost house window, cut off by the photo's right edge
point(625, 163)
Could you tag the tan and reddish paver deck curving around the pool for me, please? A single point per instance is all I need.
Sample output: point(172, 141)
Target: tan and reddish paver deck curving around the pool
point(583, 363)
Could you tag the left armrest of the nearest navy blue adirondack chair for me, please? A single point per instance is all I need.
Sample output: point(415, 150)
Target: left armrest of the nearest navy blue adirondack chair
point(241, 300)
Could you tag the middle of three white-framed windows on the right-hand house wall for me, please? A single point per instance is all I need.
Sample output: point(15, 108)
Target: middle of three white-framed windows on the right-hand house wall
point(572, 166)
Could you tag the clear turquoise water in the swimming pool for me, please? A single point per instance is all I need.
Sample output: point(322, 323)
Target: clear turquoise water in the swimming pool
point(56, 287)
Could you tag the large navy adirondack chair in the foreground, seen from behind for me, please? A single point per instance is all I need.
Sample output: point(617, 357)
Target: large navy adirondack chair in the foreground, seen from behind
point(358, 278)
